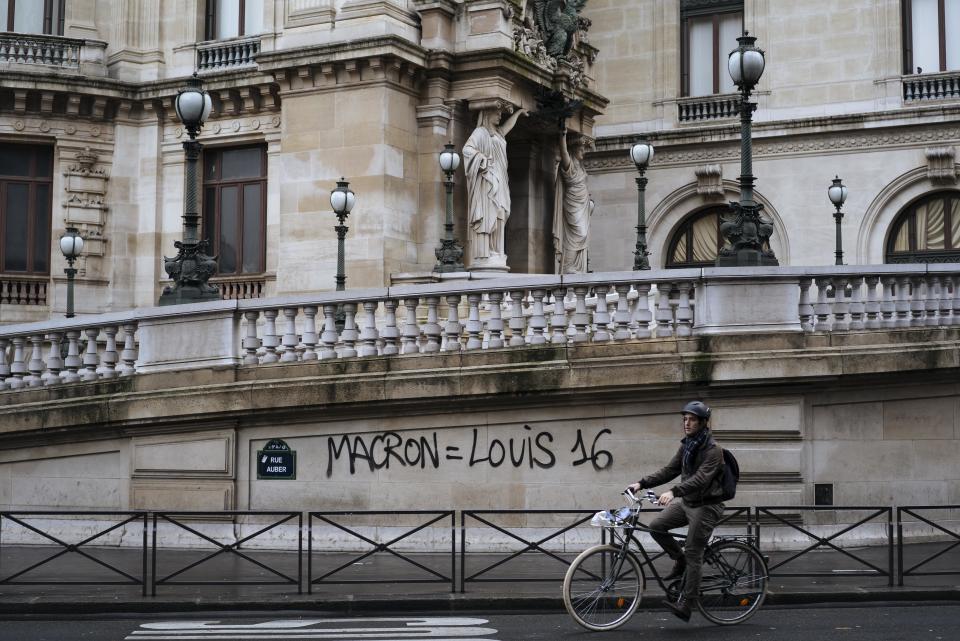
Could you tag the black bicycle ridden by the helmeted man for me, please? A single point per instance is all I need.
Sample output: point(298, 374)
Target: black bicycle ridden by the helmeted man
point(732, 589)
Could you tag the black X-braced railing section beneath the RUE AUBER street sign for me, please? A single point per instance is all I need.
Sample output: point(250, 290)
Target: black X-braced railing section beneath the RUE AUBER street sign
point(177, 519)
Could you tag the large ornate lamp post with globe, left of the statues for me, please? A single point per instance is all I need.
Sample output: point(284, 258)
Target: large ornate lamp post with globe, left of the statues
point(191, 268)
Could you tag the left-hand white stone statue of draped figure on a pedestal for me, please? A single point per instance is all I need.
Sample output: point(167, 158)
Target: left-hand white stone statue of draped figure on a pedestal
point(488, 188)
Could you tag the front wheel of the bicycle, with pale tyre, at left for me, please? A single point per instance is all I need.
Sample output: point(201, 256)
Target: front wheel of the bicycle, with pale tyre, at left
point(603, 587)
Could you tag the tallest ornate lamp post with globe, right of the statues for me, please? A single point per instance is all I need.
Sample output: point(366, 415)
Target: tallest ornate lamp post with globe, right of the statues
point(747, 233)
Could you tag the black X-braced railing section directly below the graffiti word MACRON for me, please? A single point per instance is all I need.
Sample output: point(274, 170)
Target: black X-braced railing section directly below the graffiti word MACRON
point(425, 573)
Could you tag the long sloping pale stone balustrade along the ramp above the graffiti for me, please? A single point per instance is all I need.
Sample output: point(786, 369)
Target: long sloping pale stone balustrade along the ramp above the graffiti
point(510, 313)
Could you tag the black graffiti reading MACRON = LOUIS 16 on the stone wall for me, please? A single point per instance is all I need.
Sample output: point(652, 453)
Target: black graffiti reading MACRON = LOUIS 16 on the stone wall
point(372, 452)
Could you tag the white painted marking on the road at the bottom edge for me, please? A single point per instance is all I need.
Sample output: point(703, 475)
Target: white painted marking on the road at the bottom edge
point(380, 629)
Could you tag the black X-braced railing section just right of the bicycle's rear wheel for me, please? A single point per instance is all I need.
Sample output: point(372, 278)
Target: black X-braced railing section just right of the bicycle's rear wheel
point(829, 542)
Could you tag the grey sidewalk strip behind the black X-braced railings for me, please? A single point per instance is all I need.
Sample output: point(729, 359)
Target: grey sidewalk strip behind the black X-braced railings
point(539, 589)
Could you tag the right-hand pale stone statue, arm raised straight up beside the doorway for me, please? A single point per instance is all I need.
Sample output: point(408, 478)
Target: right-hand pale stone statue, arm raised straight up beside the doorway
point(572, 209)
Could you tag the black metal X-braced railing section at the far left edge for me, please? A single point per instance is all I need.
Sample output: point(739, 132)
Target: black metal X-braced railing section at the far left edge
point(125, 518)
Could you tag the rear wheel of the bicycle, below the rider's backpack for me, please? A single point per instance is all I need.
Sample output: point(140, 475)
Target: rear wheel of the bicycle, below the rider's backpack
point(734, 582)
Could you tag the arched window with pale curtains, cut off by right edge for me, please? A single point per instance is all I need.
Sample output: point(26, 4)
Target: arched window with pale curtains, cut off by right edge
point(927, 231)
